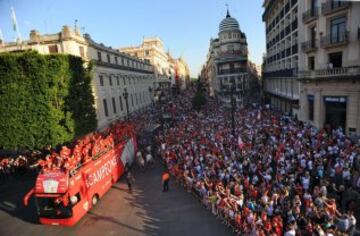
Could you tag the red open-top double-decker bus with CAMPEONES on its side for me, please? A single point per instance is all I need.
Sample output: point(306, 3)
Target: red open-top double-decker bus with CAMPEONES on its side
point(63, 197)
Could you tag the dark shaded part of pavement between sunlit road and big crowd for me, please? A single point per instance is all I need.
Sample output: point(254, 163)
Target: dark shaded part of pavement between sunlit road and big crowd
point(169, 213)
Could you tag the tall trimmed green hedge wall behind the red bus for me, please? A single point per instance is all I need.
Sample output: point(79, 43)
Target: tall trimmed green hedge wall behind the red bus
point(44, 99)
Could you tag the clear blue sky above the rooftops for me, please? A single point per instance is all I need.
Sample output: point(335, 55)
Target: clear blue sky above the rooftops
point(185, 26)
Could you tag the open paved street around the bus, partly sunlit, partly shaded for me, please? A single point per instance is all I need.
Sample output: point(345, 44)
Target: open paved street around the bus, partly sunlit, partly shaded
point(147, 211)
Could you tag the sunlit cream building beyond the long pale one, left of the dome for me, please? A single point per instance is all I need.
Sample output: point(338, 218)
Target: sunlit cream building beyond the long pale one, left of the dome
point(169, 71)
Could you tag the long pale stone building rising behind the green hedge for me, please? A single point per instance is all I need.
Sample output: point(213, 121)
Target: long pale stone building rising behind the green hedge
point(115, 73)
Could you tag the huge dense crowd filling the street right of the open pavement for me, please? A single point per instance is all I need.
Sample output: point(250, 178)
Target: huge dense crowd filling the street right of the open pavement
point(275, 176)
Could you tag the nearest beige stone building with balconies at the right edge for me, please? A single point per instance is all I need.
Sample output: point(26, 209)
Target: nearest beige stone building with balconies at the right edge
point(329, 64)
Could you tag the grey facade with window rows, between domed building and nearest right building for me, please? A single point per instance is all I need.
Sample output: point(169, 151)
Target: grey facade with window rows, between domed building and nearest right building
point(280, 66)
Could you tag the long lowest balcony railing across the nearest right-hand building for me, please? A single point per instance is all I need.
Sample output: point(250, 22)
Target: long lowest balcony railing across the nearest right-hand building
point(331, 73)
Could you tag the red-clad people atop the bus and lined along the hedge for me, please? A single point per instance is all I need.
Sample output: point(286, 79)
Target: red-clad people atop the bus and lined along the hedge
point(67, 157)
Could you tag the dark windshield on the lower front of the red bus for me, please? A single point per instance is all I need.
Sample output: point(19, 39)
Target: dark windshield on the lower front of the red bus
point(49, 207)
